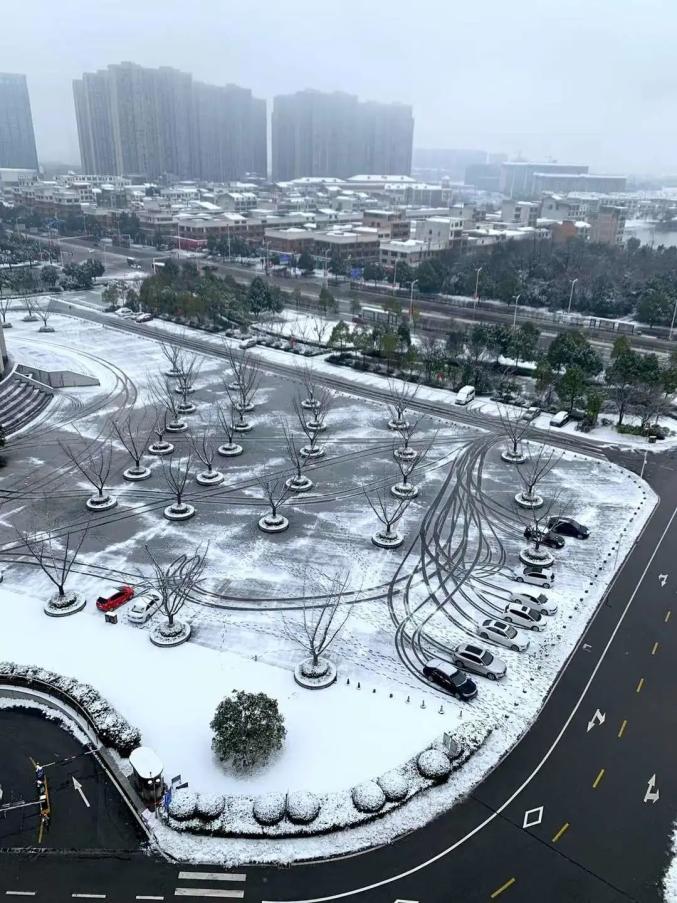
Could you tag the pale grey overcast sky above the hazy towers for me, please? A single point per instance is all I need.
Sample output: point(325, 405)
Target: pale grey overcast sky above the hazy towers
point(577, 81)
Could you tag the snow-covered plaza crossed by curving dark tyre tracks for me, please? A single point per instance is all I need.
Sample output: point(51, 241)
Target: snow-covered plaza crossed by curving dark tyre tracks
point(462, 537)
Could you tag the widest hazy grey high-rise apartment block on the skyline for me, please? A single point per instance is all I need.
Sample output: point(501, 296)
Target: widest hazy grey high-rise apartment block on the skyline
point(155, 122)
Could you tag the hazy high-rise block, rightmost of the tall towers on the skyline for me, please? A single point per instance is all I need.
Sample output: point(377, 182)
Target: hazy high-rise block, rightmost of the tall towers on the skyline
point(318, 134)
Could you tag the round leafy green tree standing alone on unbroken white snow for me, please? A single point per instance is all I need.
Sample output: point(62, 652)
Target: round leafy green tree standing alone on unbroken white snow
point(248, 728)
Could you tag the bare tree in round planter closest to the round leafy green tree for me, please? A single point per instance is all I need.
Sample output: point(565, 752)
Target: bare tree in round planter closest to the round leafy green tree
point(320, 625)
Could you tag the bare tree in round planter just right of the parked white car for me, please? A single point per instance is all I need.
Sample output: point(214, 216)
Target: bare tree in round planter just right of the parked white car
point(174, 583)
